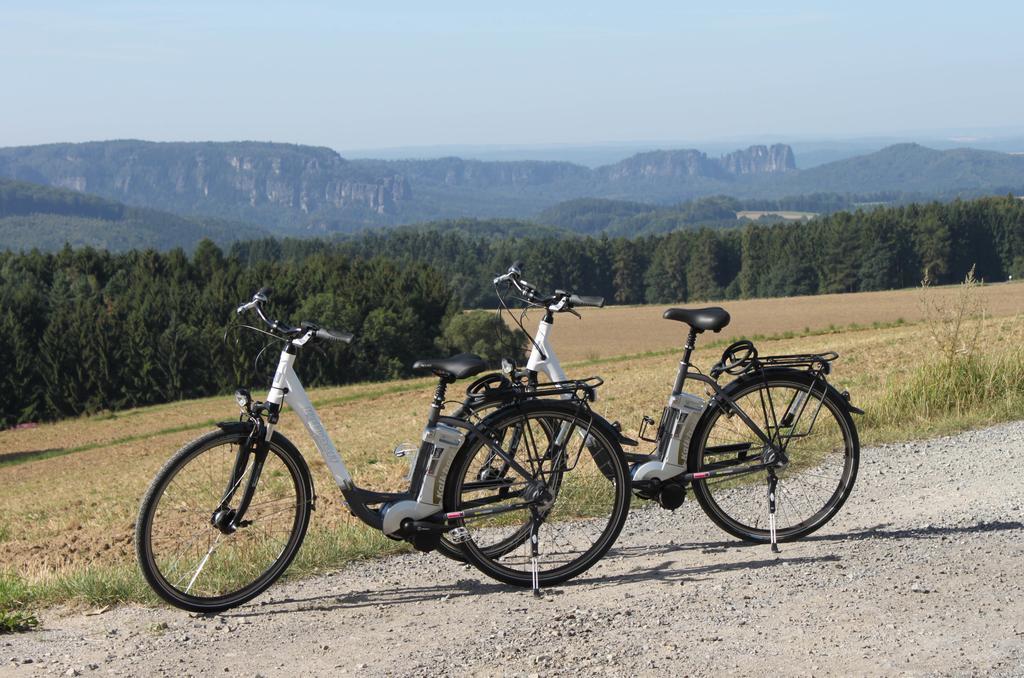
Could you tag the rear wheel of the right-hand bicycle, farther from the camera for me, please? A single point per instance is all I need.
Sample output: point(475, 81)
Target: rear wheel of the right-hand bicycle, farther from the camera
point(821, 442)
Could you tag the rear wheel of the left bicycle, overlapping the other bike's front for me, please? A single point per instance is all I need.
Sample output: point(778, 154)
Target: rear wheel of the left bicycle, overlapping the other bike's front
point(585, 497)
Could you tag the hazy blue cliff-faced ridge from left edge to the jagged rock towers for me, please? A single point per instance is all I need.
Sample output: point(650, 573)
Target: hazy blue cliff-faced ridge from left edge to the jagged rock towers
point(310, 191)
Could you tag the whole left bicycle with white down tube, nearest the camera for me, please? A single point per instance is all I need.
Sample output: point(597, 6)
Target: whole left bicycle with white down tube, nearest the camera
point(226, 516)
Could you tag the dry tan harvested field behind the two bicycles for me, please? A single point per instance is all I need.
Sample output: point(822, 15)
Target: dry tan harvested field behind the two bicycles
point(71, 489)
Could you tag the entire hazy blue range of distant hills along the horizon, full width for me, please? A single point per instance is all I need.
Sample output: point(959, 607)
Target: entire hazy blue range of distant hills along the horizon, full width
point(308, 191)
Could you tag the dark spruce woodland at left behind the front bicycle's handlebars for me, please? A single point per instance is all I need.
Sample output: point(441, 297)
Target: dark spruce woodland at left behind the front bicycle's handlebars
point(83, 331)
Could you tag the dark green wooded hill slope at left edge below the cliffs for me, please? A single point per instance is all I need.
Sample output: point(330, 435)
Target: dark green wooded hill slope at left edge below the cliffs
point(45, 218)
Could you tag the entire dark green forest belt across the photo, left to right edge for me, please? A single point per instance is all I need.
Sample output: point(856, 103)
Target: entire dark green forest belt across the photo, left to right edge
point(86, 330)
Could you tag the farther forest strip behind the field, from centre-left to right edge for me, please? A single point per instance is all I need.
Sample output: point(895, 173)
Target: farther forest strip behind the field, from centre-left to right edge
point(878, 249)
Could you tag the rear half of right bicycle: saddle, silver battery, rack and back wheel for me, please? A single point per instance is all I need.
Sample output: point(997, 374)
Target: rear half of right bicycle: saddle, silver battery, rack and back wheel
point(771, 457)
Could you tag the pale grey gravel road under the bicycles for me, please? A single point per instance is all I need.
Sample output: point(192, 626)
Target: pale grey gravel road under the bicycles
point(921, 574)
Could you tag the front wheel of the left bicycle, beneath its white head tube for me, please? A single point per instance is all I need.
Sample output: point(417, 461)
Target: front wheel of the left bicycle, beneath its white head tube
point(191, 563)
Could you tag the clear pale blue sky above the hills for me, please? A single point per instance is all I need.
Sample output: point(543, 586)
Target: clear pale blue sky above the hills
point(375, 75)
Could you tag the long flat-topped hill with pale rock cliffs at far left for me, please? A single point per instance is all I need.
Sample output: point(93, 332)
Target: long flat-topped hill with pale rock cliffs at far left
point(204, 178)
